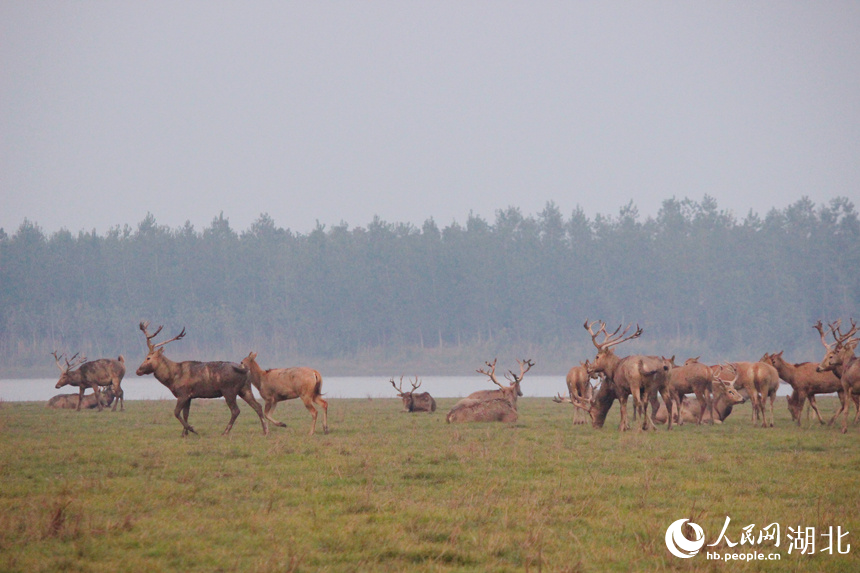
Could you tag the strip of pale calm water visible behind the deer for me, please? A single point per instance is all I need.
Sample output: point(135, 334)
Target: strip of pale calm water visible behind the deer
point(148, 388)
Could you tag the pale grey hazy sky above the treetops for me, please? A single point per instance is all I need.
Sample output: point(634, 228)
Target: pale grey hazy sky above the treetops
point(339, 111)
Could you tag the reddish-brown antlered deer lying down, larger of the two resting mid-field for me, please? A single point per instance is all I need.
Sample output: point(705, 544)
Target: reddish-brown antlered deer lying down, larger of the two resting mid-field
point(491, 405)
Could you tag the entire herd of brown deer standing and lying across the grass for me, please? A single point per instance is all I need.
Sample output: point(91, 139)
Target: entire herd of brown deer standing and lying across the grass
point(717, 388)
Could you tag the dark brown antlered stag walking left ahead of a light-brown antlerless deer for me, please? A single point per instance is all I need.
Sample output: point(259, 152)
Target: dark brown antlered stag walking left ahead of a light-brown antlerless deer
point(192, 379)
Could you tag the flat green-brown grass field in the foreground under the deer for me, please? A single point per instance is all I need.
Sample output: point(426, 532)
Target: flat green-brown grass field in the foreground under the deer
point(388, 491)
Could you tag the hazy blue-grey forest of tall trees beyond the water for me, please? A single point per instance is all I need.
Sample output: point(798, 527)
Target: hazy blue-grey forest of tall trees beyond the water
point(698, 279)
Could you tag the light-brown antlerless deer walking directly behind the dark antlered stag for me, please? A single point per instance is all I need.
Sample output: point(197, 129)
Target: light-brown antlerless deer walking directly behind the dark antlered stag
point(278, 384)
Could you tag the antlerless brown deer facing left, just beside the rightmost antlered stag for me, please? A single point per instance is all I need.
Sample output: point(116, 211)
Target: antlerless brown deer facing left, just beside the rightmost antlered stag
point(806, 382)
